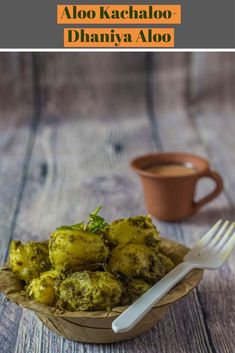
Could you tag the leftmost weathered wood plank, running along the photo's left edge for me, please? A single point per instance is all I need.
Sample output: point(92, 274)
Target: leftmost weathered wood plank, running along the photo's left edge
point(16, 113)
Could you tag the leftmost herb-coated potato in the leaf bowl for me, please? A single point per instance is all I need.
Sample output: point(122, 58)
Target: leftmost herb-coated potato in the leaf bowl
point(28, 260)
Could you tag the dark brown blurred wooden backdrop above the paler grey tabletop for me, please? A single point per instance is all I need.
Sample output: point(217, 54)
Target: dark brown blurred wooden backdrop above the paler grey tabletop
point(112, 85)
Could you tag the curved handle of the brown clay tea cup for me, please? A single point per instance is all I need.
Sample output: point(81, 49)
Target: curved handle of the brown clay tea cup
point(218, 188)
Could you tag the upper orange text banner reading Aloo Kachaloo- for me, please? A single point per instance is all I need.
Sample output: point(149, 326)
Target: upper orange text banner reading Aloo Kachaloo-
point(119, 14)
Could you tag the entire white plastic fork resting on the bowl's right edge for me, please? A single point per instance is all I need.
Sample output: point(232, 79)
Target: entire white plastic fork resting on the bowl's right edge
point(208, 253)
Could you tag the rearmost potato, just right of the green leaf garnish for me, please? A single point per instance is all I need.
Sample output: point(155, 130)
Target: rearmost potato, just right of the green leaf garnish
point(135, 230)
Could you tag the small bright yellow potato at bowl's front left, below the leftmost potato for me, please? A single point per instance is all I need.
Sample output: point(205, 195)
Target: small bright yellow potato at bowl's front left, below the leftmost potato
point(42, 289)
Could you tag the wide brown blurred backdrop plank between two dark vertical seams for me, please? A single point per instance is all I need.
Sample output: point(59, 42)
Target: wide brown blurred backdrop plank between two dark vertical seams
point(92, 86)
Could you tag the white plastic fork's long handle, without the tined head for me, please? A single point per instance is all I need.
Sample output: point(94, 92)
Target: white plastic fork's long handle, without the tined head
point(130, 317)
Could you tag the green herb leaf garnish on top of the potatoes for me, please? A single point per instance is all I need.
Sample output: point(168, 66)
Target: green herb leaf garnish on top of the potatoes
point(94, 224)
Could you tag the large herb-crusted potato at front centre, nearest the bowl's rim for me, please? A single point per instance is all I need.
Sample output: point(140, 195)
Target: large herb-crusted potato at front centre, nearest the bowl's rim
point(86, 290)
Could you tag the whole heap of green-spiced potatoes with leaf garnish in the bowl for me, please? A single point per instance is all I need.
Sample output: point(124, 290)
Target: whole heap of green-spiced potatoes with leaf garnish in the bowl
point(92, 265)
